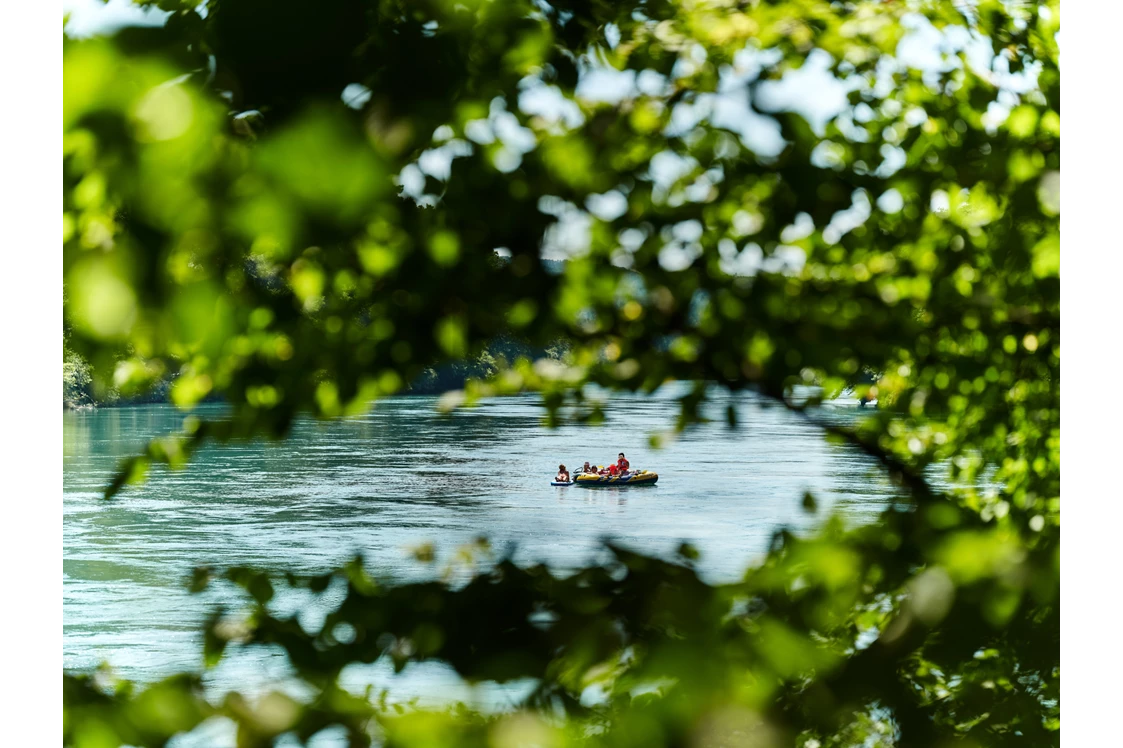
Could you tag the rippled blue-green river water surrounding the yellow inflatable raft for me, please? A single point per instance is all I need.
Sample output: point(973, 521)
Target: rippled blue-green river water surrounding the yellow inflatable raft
point(405, 476)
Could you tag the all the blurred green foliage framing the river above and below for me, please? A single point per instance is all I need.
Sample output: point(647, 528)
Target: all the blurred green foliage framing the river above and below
point(231, 225)
